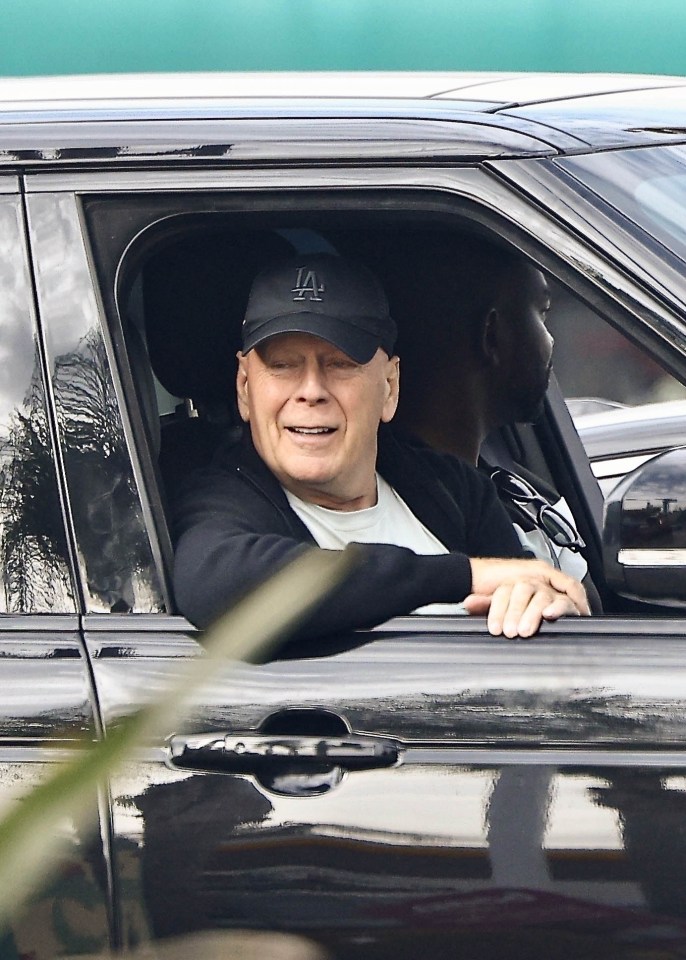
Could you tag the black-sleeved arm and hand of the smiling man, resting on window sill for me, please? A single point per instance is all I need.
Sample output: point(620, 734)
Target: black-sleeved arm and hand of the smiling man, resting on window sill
point(230, 538)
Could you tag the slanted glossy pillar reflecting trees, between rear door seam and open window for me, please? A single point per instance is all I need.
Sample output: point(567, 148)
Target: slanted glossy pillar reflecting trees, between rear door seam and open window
point(117, 567)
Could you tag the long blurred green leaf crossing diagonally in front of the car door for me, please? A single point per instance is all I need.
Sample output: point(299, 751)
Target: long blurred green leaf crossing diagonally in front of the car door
point(32, 834)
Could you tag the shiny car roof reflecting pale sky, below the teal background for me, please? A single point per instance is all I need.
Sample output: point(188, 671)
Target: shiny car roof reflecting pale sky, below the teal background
point(58, 119)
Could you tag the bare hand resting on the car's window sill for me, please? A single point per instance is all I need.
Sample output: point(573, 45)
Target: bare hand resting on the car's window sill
point(519, 594)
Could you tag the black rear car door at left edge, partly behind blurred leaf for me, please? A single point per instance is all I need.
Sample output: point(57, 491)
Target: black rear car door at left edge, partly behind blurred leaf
point(47, 700)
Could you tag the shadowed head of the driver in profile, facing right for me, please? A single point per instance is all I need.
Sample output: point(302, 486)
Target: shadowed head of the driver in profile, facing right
point(473, 320)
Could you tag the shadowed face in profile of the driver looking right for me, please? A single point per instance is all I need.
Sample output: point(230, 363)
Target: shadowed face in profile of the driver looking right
point(528, 353)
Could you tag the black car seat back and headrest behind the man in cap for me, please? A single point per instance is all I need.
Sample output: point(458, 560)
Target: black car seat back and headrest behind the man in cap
point(194, 293)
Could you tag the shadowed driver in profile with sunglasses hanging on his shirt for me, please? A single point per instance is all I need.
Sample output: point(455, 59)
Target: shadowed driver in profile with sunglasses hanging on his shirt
point(492, 360)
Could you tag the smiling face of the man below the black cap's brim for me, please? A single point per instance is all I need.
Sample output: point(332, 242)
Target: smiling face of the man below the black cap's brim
point(314, 414)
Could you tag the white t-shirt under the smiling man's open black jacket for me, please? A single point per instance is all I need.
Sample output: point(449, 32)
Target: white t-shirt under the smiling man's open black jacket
point(390, 520)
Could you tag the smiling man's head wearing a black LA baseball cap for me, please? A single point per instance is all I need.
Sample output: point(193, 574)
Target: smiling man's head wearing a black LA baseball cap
point(316, 376)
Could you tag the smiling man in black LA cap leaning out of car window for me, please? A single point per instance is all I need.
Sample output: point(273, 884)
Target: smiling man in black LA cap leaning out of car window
point(317, 385)
